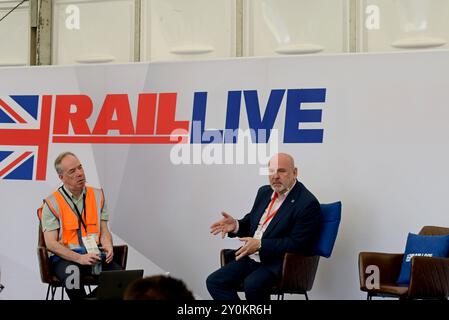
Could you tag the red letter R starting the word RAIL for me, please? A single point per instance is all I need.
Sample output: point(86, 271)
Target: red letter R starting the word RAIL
point(78, 119)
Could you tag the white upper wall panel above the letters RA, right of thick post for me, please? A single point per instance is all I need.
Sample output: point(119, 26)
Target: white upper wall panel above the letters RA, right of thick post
point(105, 33)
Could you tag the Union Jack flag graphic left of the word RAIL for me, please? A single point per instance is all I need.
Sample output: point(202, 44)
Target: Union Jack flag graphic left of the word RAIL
point(24, 136)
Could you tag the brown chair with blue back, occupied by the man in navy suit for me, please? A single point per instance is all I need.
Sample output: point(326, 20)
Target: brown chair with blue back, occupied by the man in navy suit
point(298, 272)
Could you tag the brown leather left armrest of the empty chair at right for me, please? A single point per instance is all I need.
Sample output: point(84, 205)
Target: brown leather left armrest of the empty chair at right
point(389, 265)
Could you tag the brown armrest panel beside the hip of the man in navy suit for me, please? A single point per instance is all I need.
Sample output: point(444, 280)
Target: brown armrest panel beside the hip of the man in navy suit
point(298, 272)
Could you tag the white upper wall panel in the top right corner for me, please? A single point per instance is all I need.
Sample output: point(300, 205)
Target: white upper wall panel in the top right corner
point(403, 24)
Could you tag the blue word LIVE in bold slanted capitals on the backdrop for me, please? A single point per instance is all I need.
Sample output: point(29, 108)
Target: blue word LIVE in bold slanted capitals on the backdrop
point(261, 125)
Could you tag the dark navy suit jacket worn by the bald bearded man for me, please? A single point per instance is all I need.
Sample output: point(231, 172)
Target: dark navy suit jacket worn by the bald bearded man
point(293, 229)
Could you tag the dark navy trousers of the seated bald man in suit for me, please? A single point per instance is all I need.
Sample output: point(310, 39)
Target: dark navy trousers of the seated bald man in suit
point(257, 281)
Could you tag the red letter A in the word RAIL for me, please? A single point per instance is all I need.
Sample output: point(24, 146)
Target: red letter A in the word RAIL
point(115, 104)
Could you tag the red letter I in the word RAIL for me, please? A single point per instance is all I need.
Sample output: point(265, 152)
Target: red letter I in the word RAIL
point(146, 113)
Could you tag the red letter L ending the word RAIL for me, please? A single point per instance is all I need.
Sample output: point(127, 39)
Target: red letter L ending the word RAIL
point(166, 123)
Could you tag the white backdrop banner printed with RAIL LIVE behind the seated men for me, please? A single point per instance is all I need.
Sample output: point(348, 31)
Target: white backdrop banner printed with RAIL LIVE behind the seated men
point(174, 144)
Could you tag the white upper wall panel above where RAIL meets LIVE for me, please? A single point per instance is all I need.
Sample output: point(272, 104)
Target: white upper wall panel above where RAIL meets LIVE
point(187, 30)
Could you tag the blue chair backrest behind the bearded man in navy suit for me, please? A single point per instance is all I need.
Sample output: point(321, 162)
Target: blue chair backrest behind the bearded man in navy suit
point(330, 221)
